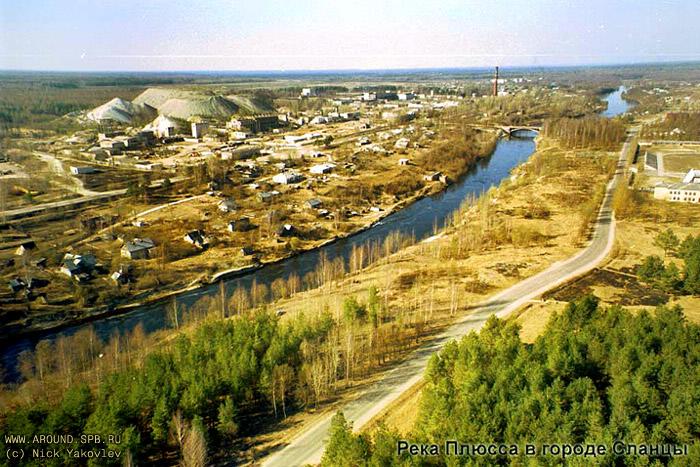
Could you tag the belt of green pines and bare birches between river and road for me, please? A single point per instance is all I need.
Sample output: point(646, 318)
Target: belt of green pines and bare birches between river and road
point(197, 394)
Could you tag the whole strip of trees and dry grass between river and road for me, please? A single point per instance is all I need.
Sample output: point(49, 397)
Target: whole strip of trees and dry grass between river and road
point(159, 391)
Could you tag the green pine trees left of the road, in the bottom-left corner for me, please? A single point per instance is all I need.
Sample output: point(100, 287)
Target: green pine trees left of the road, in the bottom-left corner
point(187, 398)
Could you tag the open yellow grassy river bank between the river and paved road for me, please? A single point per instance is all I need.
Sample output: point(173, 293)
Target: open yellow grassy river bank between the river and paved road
point(532, 220)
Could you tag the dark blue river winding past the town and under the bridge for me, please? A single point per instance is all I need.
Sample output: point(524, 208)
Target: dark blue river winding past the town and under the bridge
point(418, 219)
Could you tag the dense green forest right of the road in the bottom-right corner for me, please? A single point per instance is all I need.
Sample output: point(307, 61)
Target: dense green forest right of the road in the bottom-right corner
point(595, 376)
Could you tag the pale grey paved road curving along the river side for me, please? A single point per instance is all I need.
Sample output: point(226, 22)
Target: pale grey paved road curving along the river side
point(307, 448)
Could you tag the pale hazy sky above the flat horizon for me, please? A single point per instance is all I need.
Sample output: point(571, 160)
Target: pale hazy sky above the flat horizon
point(218, 35)
